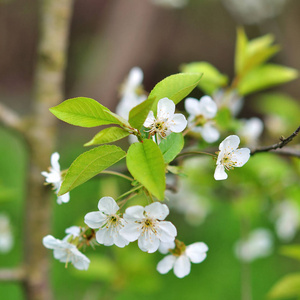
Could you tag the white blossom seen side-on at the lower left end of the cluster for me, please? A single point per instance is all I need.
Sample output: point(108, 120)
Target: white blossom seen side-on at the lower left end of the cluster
point(66, 252)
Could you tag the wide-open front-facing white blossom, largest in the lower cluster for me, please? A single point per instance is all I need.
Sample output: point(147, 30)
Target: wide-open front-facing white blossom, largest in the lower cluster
point(146, 225)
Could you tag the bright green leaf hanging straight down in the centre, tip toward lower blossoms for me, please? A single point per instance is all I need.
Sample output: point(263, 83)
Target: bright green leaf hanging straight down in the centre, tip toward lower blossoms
point(146, 164)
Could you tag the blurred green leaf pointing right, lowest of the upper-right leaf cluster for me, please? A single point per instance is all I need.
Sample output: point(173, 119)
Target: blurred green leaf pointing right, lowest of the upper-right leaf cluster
point(264, 77)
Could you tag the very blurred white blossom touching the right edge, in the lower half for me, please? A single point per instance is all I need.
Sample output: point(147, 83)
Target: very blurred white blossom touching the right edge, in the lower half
point(287, 216)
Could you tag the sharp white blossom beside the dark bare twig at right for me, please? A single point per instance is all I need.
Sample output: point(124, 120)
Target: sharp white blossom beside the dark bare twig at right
point(230, 157)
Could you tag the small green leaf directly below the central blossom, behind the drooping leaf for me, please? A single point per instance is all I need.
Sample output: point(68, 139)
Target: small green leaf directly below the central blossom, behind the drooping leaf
point(171, 146)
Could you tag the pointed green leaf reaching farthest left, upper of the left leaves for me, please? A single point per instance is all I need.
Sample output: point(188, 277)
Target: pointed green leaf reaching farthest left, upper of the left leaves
point(84, 112)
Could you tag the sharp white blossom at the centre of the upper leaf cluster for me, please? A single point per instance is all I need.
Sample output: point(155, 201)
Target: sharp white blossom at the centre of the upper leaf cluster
point(166, 121)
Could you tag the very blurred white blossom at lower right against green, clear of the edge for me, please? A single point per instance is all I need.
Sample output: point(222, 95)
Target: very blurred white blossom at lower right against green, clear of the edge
point(259, 243)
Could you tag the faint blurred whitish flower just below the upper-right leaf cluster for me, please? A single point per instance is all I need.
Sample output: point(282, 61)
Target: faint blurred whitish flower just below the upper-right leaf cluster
point(231, 100)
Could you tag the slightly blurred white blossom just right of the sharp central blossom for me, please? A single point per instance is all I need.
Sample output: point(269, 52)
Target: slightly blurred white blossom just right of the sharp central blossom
point(201, 112)
